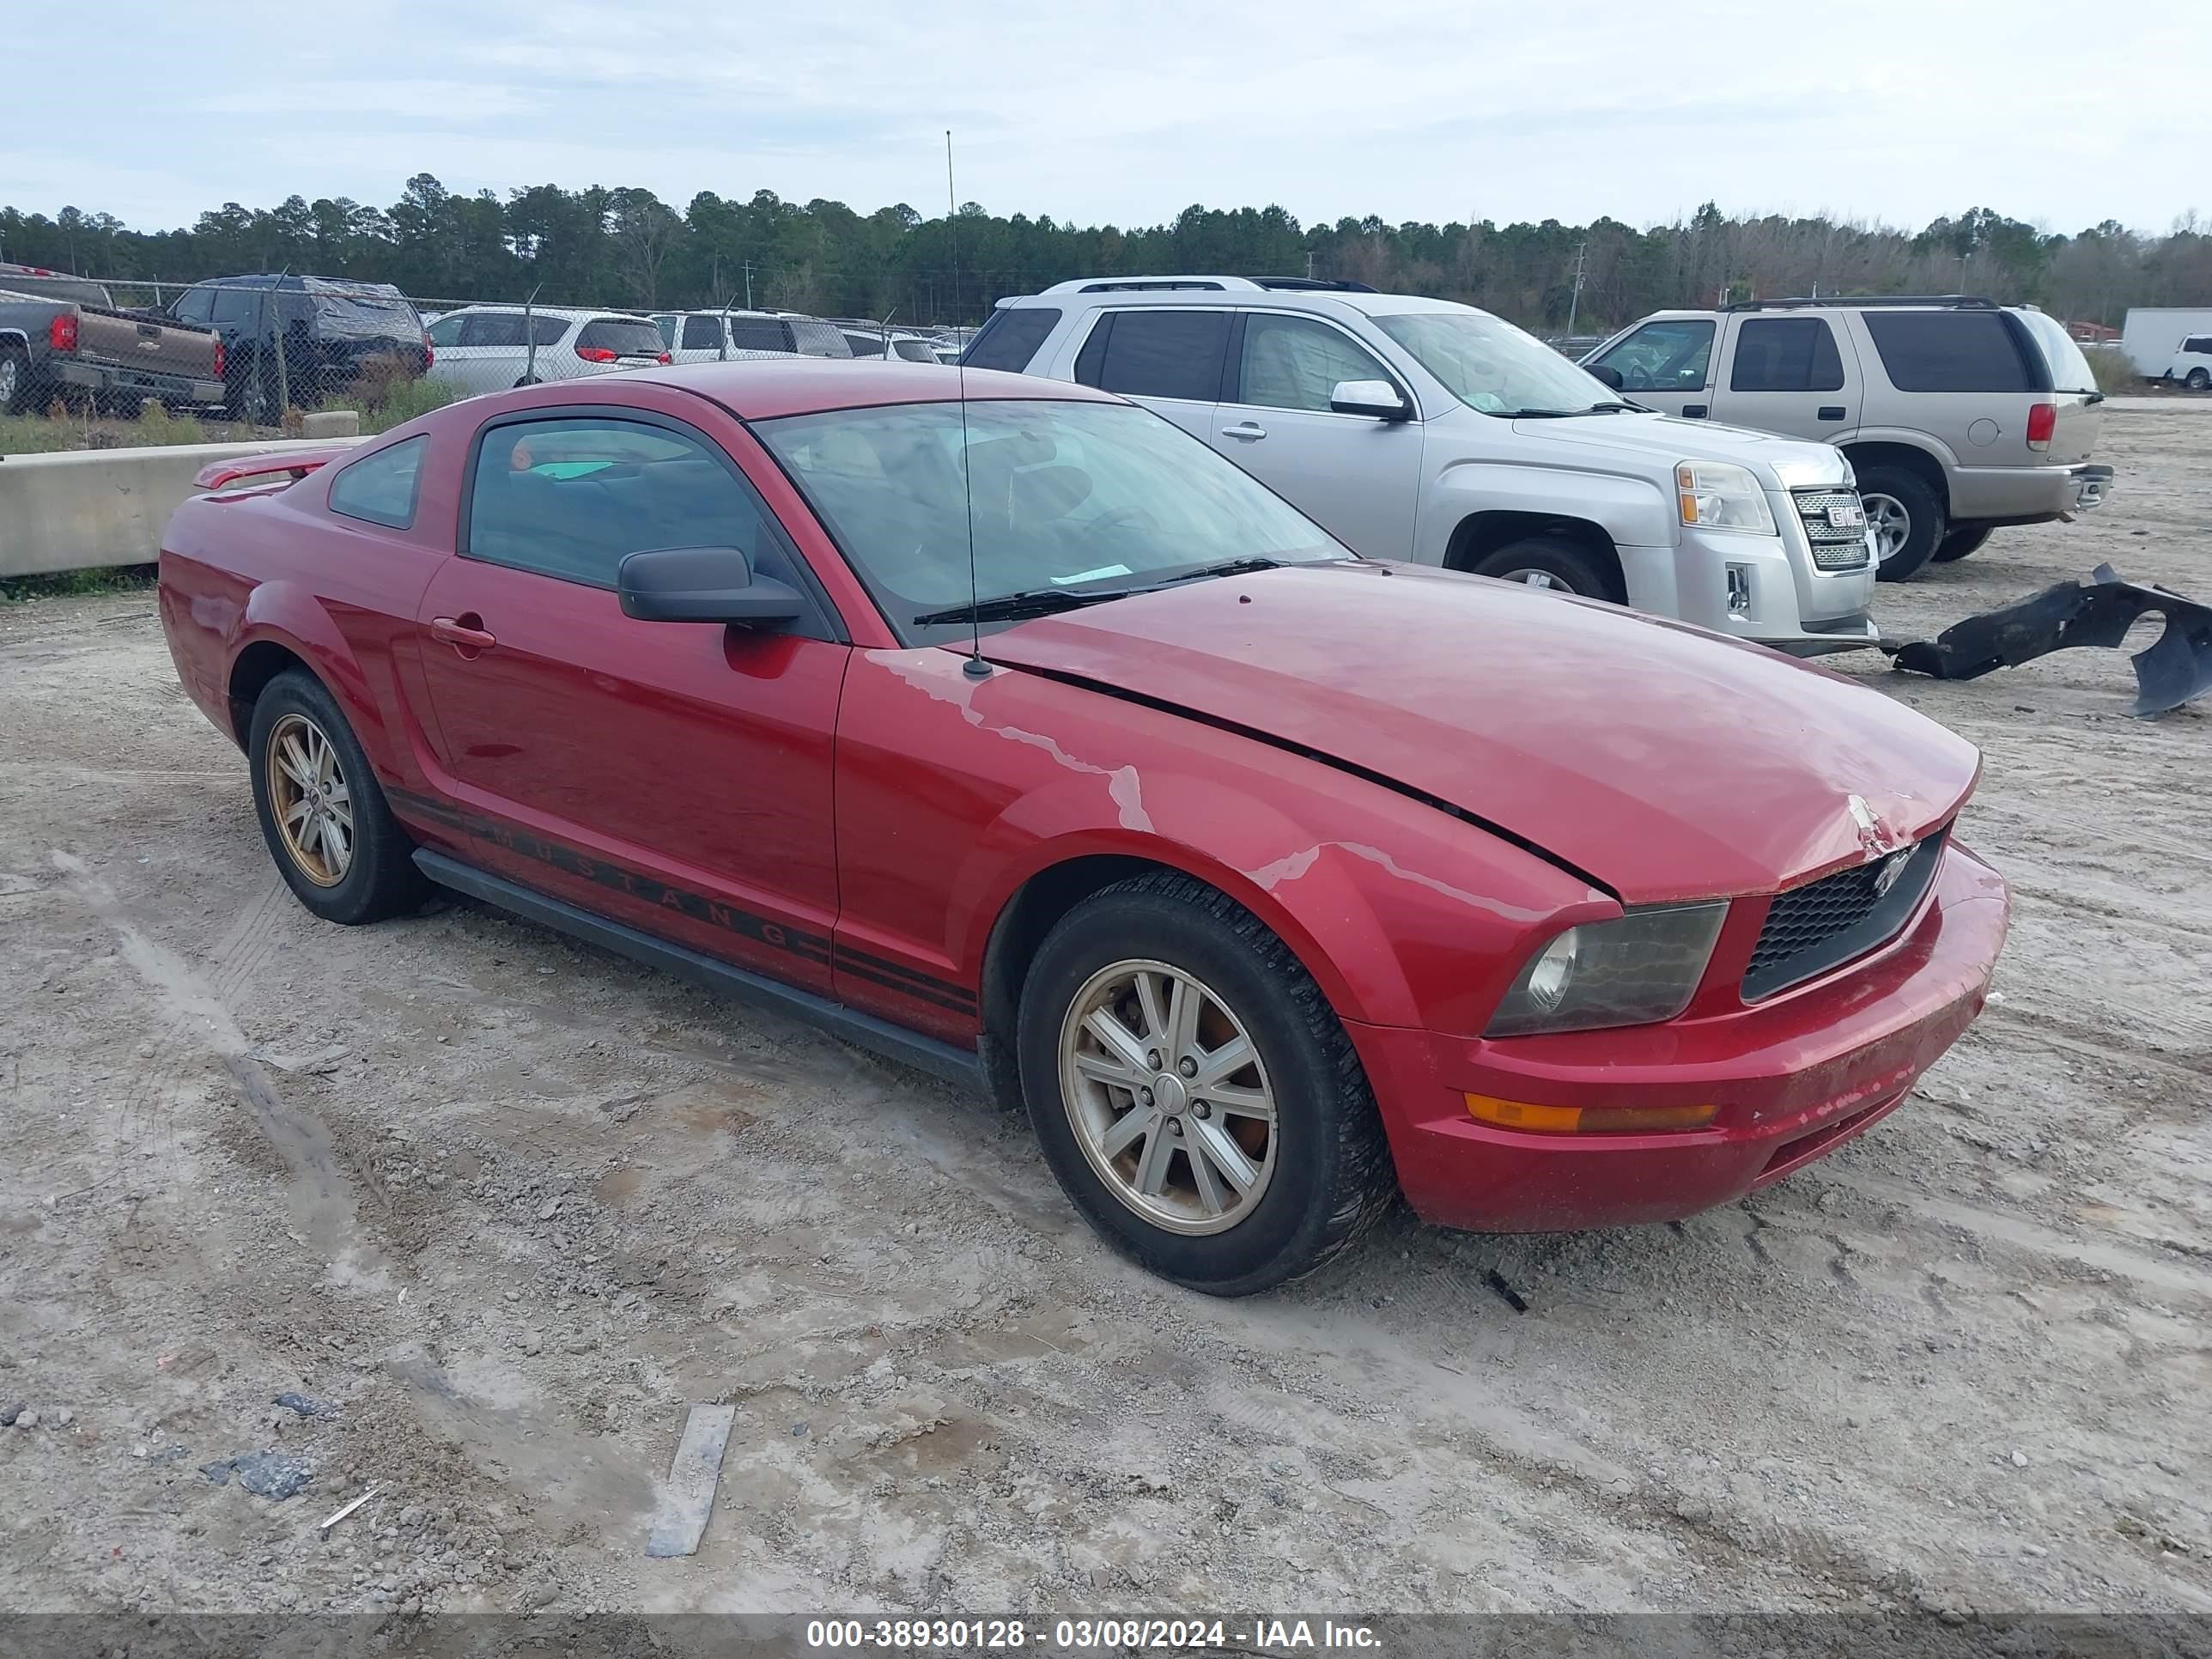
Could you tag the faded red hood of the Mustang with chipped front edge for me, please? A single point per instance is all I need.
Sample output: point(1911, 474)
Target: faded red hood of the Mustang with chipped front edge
point(1658, 760)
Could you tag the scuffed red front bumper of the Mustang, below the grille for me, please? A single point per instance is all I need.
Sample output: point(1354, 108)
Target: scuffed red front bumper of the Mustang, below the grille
point(1793, 1078)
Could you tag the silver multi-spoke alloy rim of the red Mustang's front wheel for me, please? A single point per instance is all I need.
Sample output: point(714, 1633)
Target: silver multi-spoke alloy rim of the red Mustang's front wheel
point(1169, 1098)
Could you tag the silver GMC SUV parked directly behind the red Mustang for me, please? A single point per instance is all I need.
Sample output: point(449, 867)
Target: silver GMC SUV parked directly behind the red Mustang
point(1432, 432)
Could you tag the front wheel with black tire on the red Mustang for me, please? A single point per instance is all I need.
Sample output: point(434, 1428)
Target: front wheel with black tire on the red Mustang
point(1315, 1176)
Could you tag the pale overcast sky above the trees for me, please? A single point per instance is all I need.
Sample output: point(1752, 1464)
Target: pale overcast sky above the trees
point(1463, 109)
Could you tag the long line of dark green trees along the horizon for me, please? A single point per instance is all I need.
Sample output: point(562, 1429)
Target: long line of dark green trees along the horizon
point(629, 249)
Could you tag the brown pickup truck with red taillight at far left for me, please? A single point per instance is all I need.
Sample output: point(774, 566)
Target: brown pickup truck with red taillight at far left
point(65, 337)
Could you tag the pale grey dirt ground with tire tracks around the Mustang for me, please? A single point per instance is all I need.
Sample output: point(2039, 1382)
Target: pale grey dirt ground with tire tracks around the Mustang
point(508, 1204)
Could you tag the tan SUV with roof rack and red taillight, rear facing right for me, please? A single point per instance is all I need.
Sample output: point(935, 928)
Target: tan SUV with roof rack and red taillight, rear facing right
point(1959, 415)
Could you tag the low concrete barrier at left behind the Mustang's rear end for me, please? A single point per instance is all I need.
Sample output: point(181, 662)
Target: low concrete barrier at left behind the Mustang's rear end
point(92, 508)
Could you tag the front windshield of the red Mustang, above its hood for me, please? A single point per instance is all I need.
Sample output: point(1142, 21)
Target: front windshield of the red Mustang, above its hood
point(1067, 497)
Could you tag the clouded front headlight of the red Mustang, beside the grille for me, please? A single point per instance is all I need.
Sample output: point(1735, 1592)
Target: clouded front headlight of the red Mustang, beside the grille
point(1627, 972)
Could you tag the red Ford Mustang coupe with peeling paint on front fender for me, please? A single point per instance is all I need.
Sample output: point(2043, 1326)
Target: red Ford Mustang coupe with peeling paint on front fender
point(1271, 879)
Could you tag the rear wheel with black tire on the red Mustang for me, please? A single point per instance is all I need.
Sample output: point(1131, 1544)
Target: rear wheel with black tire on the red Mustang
point(377, 875)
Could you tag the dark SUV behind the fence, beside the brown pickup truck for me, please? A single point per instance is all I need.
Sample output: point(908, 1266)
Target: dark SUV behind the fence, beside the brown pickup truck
point(337, 340)
